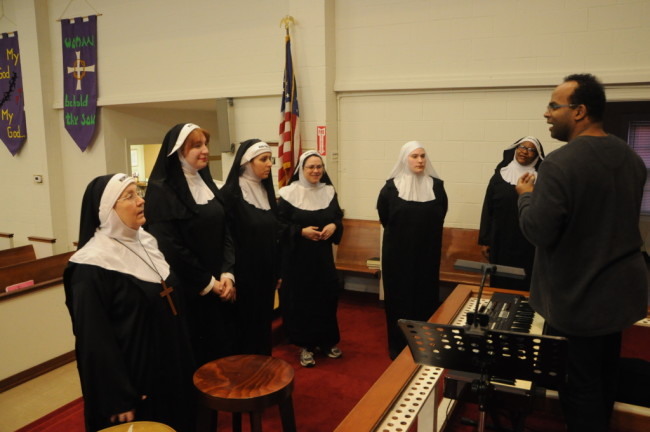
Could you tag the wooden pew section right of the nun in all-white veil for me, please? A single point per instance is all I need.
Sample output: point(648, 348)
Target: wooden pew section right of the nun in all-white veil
point(459, 243)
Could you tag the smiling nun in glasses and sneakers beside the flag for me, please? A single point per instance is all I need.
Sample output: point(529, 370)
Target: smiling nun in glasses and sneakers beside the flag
point(309, 208)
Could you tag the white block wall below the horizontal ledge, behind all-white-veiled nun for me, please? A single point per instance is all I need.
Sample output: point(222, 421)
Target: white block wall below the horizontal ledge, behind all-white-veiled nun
point(464, 132)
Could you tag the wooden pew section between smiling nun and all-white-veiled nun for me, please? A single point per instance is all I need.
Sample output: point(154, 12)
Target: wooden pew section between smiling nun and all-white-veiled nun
point(360, 241)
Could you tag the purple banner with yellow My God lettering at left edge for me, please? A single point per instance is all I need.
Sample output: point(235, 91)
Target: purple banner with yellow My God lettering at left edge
point(13, 128)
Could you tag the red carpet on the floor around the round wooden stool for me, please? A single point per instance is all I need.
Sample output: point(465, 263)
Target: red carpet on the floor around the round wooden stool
point(324, 394)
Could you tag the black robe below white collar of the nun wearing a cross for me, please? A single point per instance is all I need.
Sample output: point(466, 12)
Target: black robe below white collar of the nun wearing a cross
point(129, 344)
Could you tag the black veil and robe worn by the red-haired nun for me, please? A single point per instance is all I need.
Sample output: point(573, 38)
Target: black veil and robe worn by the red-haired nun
point(196, 242)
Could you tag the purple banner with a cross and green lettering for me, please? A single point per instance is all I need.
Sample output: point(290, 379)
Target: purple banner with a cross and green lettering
point(79, 37)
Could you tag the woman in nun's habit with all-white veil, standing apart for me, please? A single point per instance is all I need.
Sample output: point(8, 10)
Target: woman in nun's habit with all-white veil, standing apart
point(412, 206)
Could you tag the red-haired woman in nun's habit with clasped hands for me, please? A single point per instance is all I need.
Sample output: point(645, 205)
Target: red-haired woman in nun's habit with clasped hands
point(185, 212)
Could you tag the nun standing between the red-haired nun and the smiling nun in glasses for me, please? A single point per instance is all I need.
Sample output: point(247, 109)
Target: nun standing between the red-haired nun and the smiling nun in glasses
point(252, 213)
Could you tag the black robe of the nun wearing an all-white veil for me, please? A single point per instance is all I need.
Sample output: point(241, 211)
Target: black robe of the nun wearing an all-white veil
point(410, 257)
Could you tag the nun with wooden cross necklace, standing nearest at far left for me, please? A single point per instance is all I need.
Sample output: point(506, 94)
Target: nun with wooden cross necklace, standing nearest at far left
point(132, 343)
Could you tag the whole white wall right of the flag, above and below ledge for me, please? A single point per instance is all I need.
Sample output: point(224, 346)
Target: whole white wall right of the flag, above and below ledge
point(467, 78)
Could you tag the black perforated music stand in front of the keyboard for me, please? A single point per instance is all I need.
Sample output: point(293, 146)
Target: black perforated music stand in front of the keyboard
point(488, 353)
